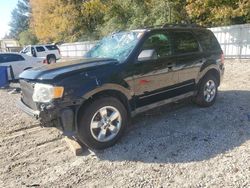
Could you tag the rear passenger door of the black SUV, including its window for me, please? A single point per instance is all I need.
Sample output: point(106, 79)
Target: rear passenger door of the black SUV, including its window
point(188, 58)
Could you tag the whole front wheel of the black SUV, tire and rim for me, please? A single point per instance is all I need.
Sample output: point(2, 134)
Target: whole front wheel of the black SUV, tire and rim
point(97, 128)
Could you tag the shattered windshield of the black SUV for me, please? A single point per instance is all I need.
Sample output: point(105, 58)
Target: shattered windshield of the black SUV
point(116, 46)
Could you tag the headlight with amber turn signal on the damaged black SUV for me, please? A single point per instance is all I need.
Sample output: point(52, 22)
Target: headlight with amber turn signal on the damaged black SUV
point(45, 93)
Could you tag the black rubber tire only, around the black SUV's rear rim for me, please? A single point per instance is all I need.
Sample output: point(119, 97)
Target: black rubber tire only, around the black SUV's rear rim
point(200, 98)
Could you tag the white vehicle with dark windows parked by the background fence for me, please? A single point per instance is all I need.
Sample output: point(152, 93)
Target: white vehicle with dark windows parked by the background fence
point(50, 52)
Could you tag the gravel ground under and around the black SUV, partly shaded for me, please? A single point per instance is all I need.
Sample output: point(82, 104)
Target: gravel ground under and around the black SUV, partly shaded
point(179, 145)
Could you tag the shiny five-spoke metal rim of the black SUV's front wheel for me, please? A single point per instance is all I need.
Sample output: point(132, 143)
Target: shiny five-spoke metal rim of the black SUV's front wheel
point(105, 124)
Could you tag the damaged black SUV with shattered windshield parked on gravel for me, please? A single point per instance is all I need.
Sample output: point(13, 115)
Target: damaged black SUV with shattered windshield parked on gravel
point(126, 73)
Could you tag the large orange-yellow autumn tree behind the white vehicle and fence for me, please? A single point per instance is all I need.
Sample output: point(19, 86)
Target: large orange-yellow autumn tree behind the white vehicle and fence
point(66, 20)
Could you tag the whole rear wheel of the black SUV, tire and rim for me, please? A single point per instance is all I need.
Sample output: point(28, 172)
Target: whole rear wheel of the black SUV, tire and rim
point(207, 87)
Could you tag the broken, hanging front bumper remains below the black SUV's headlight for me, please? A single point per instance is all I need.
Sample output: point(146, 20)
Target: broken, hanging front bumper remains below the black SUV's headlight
point(62, 118)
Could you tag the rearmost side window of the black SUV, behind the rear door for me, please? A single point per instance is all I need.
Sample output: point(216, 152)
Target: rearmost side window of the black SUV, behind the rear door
point(207, 40)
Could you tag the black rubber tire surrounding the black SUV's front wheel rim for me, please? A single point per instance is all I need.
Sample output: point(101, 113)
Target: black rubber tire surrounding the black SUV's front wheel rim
point(89, 112)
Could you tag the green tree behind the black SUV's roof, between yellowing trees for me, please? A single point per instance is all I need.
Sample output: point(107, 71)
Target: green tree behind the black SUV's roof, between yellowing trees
point(128, 14)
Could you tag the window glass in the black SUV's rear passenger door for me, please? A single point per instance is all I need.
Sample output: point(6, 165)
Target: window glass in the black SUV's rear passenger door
point(184, 42)
